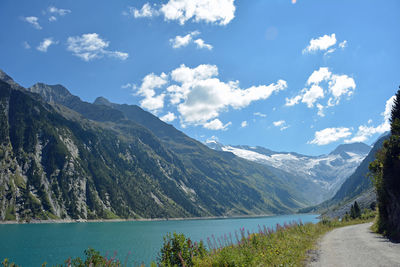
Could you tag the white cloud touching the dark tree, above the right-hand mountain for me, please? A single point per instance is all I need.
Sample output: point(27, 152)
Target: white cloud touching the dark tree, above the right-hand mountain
point(364, 131)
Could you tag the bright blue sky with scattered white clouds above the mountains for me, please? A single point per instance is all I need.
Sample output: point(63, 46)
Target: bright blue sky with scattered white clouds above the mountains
point(299, 76)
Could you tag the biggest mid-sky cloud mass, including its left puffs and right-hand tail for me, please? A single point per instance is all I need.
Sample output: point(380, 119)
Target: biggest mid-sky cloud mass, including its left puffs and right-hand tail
point(199, 95)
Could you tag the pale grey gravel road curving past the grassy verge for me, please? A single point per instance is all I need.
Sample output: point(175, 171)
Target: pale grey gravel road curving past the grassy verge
point(356, 245)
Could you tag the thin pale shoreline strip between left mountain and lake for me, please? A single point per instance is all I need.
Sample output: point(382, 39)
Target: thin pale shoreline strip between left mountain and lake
point(142, 219)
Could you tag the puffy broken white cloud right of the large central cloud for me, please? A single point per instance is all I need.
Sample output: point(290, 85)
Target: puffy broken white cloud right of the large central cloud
point(336, 87)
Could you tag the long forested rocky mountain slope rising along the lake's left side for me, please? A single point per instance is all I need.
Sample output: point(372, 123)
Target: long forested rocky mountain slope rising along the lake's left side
point(61, 157)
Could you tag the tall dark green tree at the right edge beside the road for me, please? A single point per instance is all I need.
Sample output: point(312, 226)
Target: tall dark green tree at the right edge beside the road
point(386, 174)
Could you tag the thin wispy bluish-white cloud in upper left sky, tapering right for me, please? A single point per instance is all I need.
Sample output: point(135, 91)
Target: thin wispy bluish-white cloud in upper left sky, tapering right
point(90, 46)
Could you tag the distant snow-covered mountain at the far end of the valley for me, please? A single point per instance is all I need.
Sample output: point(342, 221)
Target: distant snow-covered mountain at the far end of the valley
point(327, 172)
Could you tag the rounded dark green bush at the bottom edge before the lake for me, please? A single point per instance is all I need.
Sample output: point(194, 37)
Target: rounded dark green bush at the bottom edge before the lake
point(178, 250)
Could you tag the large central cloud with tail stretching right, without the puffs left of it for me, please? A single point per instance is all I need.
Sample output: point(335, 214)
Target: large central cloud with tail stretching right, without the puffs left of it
point(205, 97)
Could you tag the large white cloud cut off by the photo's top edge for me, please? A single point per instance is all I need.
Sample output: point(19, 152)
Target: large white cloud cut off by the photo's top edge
point(211, 11)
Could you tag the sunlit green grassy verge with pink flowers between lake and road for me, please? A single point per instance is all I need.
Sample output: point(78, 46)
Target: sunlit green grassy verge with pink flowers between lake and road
point(287, 246)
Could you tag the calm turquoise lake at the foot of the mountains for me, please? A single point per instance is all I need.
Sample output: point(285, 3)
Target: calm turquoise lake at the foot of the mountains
point(33, 244)
